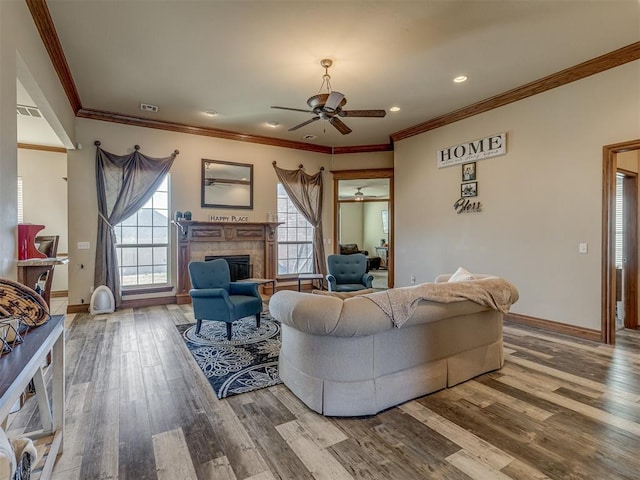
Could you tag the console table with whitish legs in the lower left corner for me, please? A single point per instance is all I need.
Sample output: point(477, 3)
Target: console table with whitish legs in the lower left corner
point(24, 363)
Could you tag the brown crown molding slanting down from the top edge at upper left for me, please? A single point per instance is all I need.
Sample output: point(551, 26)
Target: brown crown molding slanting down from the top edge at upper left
point(46, 28)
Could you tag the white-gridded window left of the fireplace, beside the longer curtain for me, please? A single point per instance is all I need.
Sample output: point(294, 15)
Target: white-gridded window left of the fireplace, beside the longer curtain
point(142, 242)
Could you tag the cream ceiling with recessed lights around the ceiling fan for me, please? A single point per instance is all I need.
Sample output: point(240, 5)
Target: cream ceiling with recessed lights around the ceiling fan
point(240, 57)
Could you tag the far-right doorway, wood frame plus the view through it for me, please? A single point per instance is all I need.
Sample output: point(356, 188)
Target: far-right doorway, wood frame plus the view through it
point(619, 279)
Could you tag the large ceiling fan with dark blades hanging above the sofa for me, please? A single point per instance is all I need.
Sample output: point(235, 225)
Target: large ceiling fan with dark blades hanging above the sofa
point(328, 106)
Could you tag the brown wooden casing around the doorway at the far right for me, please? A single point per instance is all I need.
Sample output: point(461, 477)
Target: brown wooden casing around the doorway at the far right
point(608, 267)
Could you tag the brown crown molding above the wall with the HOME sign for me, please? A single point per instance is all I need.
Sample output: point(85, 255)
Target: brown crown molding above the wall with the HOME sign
point(582, 70)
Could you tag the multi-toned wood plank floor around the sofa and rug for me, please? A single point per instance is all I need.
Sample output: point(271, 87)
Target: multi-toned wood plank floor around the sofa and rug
point(139, 408)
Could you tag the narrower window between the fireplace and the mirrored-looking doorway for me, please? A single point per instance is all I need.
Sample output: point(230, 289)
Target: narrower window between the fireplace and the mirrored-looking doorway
point(295, 238)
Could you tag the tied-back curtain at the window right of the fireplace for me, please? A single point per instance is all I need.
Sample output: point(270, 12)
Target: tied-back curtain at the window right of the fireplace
point(305, 191)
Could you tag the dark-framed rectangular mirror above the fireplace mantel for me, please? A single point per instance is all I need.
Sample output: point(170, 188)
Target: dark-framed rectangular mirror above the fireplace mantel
point(226, 184)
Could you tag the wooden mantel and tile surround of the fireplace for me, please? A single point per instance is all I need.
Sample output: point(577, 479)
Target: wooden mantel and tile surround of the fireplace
point(196, 240)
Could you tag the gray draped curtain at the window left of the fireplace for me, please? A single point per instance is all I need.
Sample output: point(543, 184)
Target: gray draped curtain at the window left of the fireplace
point(124, 183)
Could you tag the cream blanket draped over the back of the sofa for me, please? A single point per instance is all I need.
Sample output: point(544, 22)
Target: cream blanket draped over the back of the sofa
point(399, 303)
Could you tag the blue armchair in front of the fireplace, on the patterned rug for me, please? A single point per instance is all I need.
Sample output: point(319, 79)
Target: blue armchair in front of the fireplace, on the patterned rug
point(215, 297)
